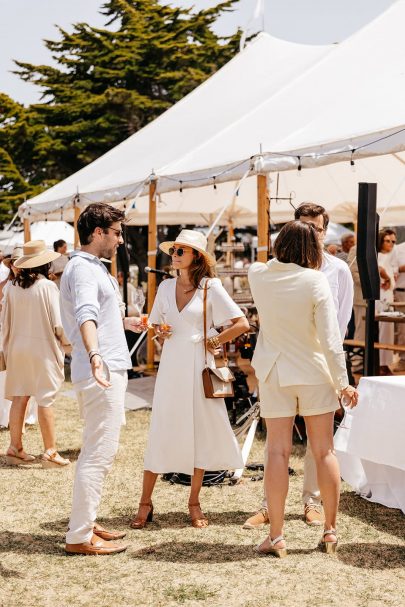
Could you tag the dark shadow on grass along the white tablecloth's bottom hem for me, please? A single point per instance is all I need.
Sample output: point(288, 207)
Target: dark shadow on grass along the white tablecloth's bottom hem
point(380, 517)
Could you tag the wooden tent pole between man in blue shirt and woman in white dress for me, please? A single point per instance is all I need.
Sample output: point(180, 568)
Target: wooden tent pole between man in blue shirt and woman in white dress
point(152, 243)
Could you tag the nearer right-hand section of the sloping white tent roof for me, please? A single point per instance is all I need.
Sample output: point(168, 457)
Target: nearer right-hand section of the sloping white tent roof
point(351, 99)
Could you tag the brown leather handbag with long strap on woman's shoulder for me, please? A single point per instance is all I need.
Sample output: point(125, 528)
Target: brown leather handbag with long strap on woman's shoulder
point(217, 382)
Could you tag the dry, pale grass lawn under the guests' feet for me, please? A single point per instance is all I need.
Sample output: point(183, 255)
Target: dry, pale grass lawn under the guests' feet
point(169, 562)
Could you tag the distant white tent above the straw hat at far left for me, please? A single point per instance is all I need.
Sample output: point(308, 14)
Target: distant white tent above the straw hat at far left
point(40, 230)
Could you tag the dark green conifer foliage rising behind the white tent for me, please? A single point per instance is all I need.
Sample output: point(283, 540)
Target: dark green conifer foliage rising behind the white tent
point(105, 84)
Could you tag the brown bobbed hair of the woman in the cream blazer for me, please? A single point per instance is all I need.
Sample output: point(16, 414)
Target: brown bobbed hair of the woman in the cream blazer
point(298, 243)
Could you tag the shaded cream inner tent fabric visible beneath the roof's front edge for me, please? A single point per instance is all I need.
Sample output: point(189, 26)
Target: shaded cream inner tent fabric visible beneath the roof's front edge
point(333, 186)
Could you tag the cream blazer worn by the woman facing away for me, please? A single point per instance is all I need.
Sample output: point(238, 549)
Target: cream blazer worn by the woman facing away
point(299, 332)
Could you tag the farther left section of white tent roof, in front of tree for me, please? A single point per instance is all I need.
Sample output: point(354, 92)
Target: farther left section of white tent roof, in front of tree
point(258, 72)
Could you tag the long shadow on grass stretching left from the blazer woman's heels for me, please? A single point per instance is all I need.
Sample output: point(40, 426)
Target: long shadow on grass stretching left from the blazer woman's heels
point(201, 552)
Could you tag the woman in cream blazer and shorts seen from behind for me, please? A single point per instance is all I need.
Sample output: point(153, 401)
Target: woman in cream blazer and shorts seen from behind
point(300, 365)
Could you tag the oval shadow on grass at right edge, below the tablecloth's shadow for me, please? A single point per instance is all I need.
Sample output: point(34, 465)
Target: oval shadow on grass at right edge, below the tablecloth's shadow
point(372, 556)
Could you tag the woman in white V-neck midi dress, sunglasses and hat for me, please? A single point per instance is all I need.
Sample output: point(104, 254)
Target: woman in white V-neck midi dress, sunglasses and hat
point(189, 433)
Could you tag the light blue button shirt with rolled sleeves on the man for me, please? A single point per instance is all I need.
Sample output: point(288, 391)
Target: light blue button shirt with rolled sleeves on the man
point(87, 292)
